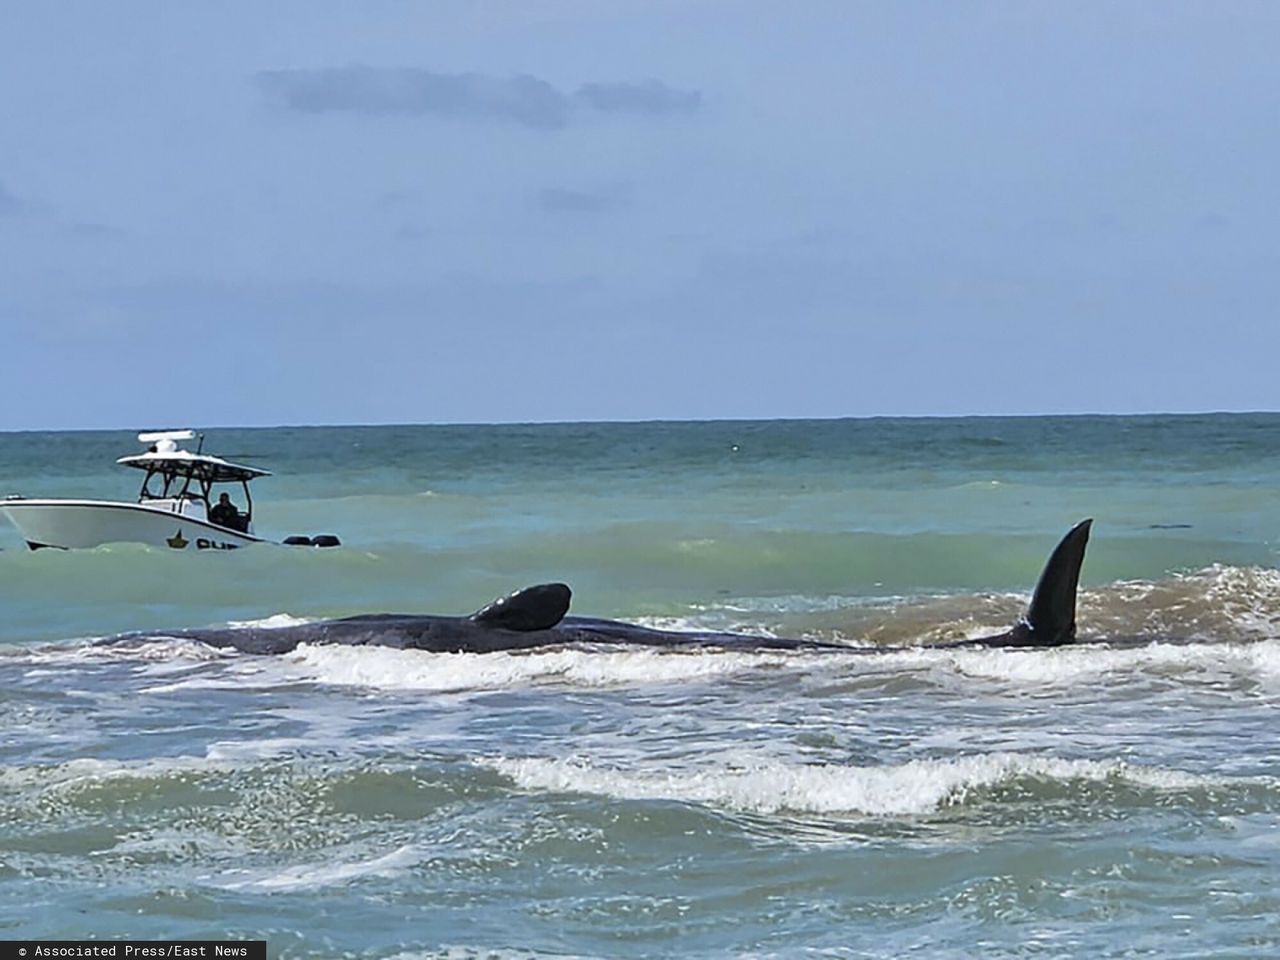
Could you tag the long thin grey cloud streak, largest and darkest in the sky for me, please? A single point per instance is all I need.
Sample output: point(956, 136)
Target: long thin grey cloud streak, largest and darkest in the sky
point(415, 93)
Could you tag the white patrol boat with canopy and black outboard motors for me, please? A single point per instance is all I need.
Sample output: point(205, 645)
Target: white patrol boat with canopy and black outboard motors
point(176, 505)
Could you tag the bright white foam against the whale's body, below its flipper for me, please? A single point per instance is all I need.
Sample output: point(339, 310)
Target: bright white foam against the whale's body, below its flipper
point(417, 670)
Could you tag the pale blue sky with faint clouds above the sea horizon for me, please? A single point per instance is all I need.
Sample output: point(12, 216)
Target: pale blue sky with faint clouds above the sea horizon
point(332, 213)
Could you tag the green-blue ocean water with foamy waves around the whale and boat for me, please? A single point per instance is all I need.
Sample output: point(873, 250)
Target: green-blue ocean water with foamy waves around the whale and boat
point(1118, 798)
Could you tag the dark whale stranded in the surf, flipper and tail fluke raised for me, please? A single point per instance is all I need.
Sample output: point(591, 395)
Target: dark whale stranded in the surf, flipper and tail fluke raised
point(538, 618)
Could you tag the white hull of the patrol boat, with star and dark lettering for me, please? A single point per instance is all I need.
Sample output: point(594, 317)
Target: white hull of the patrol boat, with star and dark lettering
point(83, 524)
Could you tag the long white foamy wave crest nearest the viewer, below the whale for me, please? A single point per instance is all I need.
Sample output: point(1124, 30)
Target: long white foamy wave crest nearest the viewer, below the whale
point(913, 788)
